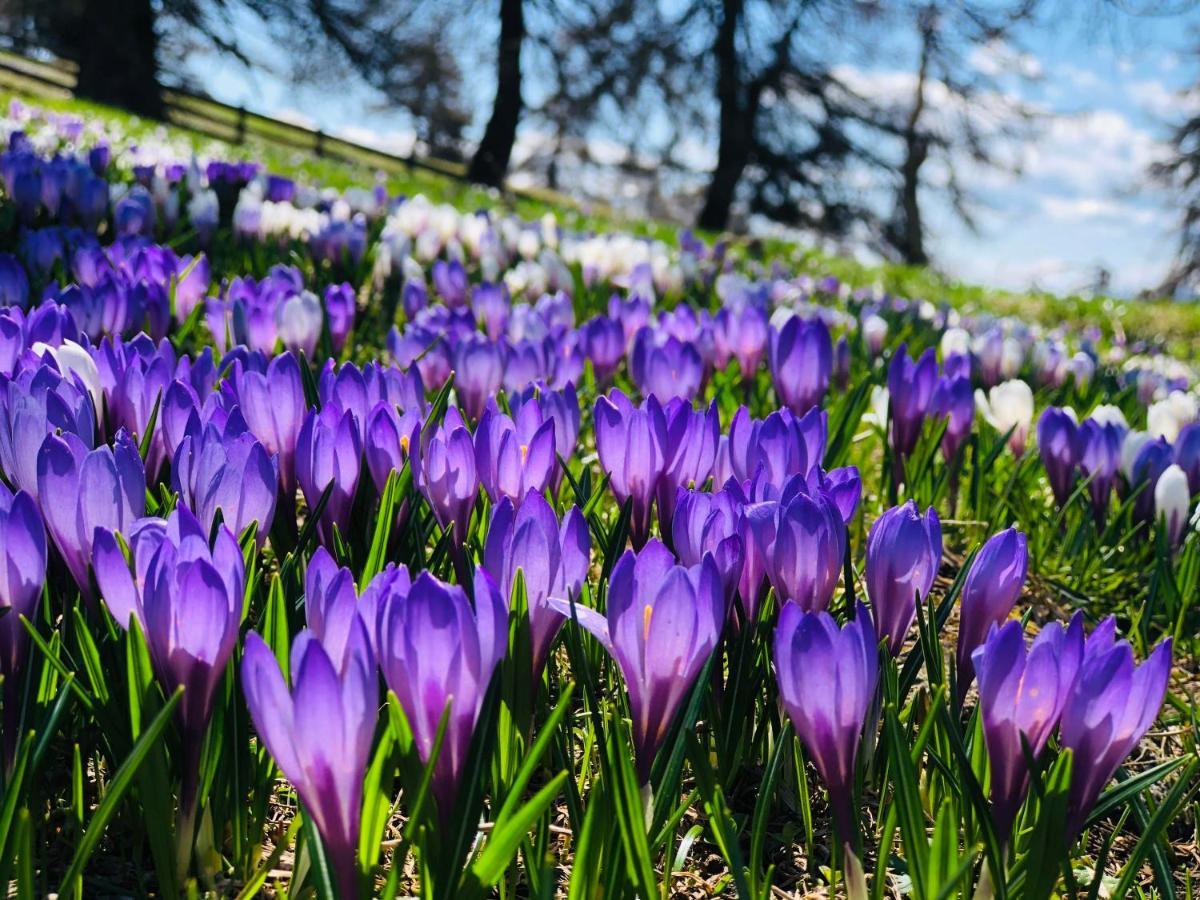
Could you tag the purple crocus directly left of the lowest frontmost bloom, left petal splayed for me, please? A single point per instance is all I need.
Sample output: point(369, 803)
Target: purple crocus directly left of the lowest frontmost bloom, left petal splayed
point(188, 598)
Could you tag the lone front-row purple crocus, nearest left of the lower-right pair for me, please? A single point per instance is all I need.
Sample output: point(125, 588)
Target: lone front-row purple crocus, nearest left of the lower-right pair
point(811, 651)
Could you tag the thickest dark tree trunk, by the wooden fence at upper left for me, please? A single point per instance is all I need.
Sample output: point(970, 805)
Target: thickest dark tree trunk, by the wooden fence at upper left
point(117, 50)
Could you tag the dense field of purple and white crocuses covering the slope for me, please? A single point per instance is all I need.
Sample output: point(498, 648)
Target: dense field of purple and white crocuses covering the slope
point(158, 478)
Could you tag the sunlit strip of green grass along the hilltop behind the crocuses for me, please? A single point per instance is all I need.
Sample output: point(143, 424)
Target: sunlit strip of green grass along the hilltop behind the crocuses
point(1175, 325)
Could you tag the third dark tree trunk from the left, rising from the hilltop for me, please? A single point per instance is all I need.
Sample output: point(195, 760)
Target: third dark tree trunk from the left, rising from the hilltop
point(736, 124)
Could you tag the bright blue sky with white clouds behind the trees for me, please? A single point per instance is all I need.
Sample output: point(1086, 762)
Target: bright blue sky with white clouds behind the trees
point(1077, 205)
